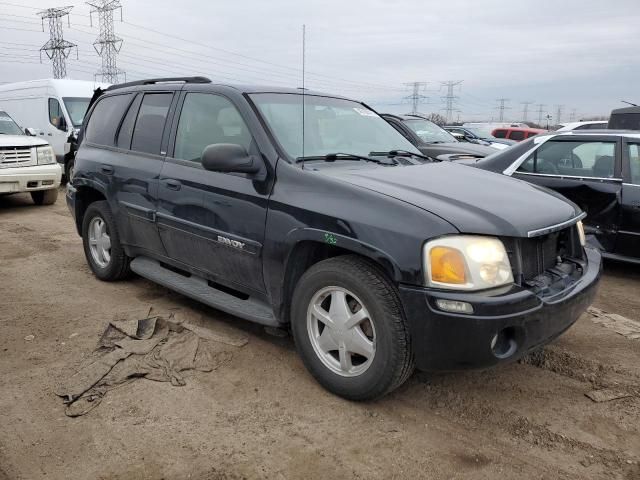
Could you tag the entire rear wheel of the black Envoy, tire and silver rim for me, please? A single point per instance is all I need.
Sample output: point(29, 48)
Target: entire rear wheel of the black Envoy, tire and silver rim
point(101, 241)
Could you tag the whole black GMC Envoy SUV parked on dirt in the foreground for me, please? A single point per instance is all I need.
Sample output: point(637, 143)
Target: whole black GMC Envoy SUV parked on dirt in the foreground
point(376, 257)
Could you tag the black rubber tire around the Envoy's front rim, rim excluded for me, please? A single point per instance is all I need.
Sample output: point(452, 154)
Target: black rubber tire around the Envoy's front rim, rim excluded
point(393, 361)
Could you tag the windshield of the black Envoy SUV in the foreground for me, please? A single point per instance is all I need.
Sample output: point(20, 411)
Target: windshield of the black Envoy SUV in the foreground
point(332, 125)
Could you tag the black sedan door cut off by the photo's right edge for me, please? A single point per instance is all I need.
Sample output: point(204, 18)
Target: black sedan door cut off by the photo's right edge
point(628, 242)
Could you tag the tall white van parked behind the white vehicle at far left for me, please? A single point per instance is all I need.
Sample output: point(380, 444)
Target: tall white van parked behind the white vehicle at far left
point(51, 109)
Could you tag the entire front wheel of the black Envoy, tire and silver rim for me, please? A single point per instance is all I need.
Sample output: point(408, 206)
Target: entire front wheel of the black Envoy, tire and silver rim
point(349, 328)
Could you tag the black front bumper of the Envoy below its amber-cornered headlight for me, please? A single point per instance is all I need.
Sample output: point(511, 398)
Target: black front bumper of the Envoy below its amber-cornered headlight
point(449, 341)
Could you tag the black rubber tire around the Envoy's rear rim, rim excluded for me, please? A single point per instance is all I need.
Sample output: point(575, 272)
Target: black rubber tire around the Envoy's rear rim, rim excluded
point(118, 266)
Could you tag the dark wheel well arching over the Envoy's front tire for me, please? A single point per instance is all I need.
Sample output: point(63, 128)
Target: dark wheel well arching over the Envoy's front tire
point(304, 255)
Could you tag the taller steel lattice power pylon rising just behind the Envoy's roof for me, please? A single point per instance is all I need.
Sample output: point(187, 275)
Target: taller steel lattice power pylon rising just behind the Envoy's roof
point(107, 44)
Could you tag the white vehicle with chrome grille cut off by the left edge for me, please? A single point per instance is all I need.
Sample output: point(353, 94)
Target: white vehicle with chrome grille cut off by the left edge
point(27, 164)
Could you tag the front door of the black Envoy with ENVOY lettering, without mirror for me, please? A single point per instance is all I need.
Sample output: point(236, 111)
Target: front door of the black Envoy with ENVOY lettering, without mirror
point(211, 221)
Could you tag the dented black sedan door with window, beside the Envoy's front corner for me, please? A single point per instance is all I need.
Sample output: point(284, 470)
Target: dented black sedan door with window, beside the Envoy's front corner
point(587, 170)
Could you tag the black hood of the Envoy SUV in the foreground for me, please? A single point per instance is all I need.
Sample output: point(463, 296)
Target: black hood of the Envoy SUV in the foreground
point(472, 200)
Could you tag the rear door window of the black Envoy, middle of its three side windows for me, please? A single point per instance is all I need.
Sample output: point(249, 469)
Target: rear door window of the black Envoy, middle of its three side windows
point(147, 133)
